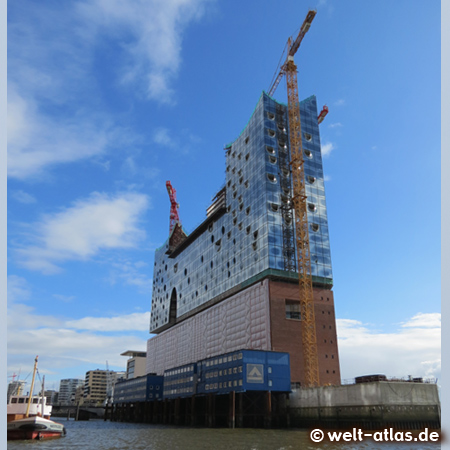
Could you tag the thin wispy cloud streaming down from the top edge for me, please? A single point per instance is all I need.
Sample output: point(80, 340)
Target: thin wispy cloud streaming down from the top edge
point(153, 31)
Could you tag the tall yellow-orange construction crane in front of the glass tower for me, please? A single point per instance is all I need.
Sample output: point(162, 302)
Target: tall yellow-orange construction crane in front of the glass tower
point(289, 69)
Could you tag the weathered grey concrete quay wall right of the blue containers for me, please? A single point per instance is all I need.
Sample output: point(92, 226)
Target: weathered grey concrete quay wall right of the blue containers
point(403, 405)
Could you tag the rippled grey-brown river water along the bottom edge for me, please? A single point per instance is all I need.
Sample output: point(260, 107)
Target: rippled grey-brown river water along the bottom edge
point(101, 435)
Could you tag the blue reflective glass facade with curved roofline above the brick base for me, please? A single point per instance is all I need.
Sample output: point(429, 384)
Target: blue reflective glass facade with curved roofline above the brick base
point(256, 231)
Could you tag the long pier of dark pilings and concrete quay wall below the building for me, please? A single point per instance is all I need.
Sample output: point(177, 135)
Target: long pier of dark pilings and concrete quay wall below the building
point(385, 404)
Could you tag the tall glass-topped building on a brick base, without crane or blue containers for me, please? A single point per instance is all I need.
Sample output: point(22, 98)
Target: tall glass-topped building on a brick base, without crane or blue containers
point(232, 283)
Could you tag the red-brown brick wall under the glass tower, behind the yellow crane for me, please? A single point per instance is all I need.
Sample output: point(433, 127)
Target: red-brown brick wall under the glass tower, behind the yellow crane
point(286, 333)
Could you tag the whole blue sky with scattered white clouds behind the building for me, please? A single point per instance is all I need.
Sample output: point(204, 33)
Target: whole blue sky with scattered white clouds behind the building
point(108, 99)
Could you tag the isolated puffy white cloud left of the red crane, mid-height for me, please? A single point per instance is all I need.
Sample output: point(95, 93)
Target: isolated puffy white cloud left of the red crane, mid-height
point(97, 223)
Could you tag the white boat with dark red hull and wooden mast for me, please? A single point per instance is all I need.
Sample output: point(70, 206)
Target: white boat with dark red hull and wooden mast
point(28, 417)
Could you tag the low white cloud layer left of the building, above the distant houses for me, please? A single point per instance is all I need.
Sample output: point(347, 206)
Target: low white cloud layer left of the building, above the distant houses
point(71, 343)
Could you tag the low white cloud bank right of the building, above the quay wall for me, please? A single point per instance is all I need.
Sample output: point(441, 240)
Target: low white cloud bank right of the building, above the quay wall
point(413, 349)
